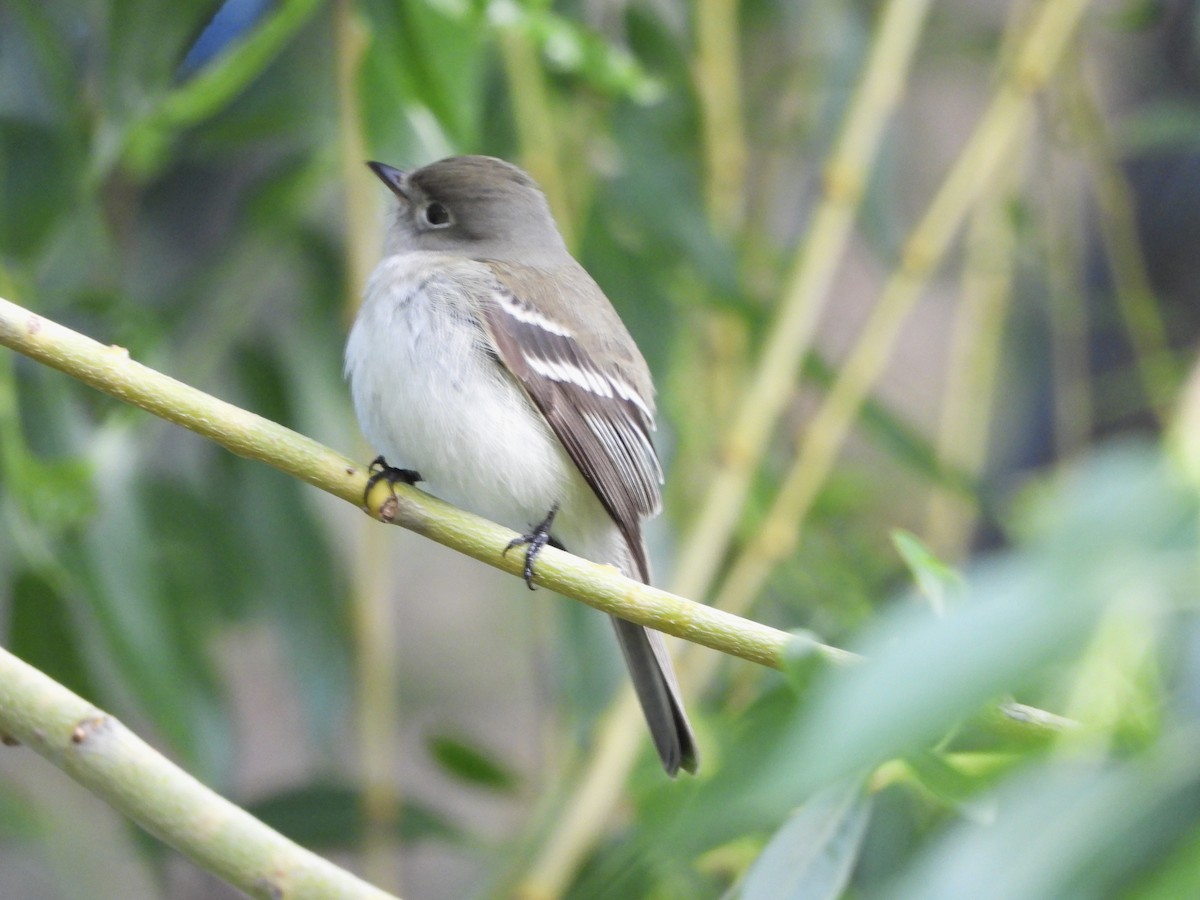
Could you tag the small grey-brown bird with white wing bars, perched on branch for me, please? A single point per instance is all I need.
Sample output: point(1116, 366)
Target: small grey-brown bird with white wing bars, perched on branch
point(489, 361)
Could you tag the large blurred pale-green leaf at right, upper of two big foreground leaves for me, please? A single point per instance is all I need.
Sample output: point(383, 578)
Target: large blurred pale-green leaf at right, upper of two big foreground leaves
point(1106, 531)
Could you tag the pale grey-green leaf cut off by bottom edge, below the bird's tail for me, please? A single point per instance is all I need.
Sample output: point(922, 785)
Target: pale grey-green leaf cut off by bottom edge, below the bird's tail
point(813, 855)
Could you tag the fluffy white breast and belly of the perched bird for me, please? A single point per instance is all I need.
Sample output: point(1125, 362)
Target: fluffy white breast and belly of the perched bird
point(430, 395)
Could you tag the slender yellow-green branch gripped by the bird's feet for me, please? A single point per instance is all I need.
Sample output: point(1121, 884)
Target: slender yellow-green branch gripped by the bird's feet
point(111, 370)
